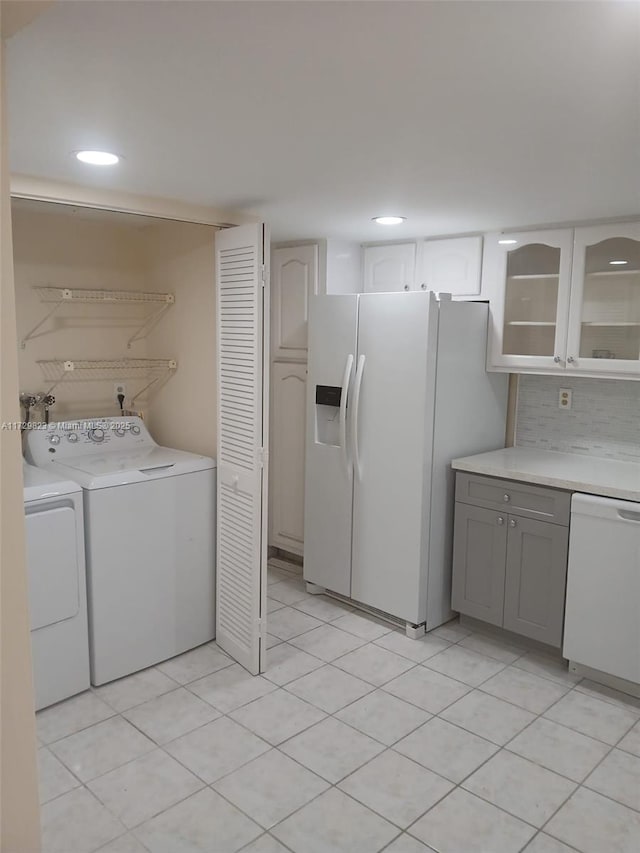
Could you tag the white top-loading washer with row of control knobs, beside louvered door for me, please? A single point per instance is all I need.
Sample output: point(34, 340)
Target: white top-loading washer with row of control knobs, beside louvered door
point(149, 538)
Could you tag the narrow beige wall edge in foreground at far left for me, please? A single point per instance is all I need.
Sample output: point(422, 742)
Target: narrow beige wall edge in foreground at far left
point(19, 813)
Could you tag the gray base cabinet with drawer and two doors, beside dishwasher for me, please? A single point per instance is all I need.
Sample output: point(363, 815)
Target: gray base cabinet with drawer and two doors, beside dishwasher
point(510, 555)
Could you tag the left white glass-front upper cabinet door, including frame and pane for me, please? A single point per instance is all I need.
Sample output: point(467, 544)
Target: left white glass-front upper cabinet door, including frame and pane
point(529, 277)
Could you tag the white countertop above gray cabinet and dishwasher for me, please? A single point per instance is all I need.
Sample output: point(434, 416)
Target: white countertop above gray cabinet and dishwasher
point(572, 471)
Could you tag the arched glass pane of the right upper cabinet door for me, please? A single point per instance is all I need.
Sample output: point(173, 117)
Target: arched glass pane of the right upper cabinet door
point(610, 322)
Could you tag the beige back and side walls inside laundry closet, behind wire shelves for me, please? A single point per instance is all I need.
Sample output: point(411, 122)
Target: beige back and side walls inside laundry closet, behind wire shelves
point(62, 246)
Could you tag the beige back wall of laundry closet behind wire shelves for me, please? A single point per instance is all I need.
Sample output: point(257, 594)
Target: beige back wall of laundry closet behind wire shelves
point(60, 246)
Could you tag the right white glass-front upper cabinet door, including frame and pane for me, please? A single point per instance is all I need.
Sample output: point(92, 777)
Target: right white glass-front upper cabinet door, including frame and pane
point(604, 319)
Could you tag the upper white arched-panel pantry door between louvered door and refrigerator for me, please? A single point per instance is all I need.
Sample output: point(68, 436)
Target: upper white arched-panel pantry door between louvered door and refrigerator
point(294, 279)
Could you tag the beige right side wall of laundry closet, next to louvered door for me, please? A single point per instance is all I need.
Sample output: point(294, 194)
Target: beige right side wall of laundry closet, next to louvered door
point(181, 260)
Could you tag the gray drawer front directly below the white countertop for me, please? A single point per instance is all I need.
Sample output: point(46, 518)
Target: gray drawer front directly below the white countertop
point(539, 502)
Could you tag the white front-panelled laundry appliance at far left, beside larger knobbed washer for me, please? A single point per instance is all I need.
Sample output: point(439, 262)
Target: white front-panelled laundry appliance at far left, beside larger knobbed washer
point(57, 586)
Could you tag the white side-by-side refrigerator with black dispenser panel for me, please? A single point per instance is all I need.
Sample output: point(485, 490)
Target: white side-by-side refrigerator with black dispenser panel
point(397, 388)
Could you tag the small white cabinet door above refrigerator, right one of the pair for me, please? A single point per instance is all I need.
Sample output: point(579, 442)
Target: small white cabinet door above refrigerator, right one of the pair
point(452, 266)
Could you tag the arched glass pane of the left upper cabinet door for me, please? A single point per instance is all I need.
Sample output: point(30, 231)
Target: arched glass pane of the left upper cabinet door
point(531, 300)
